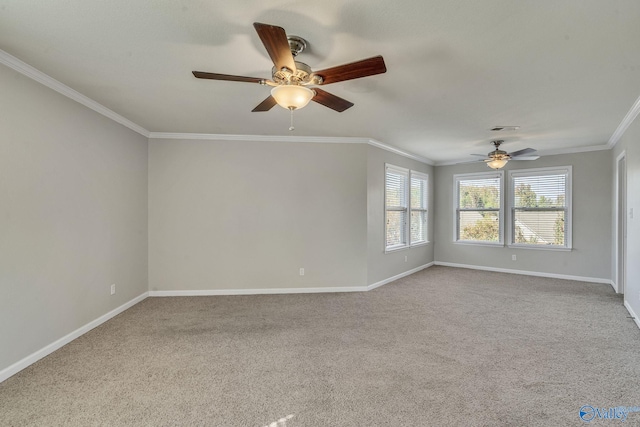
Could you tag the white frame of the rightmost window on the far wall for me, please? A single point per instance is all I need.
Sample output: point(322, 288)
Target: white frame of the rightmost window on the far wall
point(556, 170)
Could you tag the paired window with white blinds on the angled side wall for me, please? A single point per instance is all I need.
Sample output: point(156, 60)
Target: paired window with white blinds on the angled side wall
point(406, 201)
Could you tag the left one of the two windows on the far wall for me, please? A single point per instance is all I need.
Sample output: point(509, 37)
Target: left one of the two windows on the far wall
point(479, 208)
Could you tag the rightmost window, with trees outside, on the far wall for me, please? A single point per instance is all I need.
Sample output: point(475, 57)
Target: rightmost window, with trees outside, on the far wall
point(540, 207)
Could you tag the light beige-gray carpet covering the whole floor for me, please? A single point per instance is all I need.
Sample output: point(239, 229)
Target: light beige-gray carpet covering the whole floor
point(441, 347)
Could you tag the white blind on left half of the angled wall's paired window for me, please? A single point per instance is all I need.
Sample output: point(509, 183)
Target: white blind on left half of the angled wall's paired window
point(396, 206)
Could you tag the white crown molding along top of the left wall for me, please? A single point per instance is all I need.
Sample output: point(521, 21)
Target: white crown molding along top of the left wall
point(31, 72)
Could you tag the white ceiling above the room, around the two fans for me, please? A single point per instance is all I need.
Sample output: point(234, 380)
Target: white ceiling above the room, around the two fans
point(566, 71)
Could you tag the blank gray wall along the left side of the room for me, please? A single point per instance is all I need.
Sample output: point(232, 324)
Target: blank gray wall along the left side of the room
point(73, 216)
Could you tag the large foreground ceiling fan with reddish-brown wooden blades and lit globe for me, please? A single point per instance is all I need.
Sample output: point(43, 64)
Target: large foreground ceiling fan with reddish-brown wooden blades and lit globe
point(290, 78)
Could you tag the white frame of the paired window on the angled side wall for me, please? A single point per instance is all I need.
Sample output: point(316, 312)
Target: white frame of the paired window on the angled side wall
point(409, 174)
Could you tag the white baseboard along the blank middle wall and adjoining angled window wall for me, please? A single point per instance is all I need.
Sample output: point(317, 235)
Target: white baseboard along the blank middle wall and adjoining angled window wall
point(272, 291)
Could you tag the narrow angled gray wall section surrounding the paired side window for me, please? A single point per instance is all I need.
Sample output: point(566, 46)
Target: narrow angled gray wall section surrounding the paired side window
point(381, 266)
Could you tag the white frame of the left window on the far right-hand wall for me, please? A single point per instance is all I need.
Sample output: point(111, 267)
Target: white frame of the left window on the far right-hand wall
point(457, 178)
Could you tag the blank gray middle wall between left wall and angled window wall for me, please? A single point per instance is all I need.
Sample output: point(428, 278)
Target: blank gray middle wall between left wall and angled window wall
point(248, 215)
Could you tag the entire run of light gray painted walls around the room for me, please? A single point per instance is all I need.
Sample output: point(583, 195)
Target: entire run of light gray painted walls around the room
point(87, 202)
